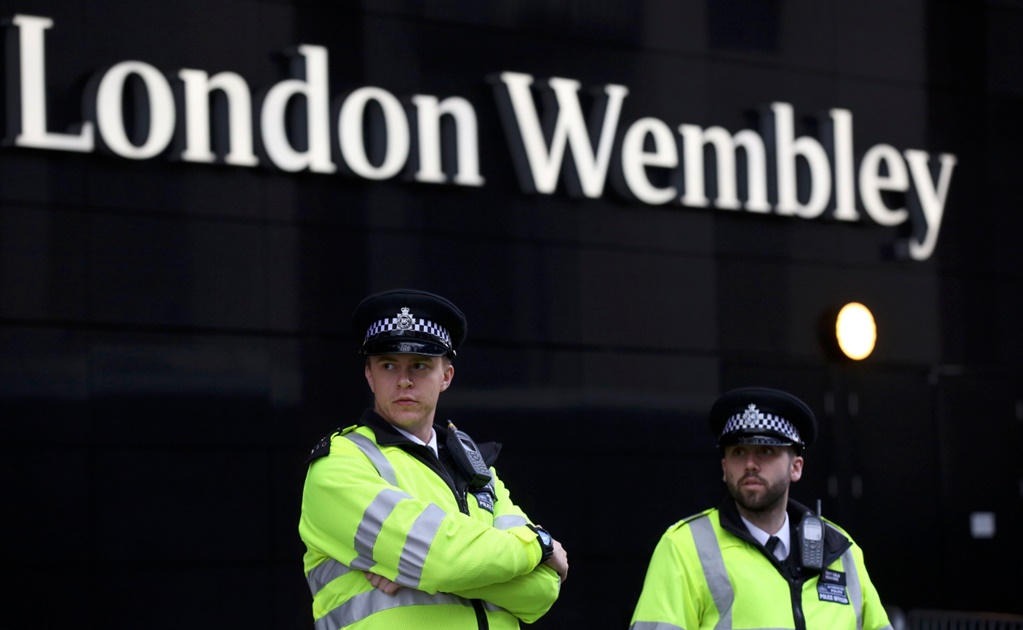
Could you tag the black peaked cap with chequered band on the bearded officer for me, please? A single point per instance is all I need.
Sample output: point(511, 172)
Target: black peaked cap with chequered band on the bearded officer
point(763, 416)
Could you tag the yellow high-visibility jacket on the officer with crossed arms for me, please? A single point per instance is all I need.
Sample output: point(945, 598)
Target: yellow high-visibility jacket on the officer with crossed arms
point(374, 502)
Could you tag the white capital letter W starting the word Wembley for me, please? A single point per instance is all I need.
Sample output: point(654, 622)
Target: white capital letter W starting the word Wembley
point(540, 165)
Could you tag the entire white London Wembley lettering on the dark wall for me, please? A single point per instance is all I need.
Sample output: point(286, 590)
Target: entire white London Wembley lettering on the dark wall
point(131, 112)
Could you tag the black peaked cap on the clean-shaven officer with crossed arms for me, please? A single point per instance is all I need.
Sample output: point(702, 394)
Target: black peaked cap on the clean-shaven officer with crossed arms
point(409, 322)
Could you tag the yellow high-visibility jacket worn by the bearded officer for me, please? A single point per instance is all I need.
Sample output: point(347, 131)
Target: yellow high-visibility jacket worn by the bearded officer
point(709, 572)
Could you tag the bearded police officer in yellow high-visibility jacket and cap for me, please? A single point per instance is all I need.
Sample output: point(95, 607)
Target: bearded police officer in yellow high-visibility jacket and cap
point(761, 560)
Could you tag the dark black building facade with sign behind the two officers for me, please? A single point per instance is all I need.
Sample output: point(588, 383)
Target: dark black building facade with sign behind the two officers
point(638, 205)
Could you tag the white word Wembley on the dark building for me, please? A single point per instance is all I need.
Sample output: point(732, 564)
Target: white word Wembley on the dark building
point(810, 174)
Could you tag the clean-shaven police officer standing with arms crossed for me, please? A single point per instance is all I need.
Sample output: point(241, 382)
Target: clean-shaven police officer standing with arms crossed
point(406, 522)
